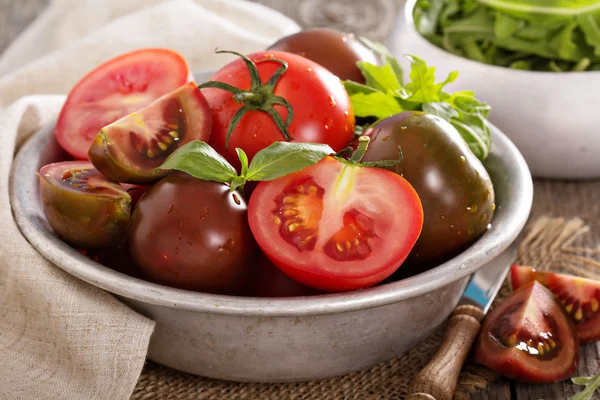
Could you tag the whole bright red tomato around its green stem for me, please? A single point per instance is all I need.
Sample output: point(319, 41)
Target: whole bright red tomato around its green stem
point(322, 109)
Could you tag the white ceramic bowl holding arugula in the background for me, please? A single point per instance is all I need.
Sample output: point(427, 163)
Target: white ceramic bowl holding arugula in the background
point(553, 118)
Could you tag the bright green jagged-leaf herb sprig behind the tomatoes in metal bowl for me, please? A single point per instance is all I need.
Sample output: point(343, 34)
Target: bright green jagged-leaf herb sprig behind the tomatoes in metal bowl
point(385, 94)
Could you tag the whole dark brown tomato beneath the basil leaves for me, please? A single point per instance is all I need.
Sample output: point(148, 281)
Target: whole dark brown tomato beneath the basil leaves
point(193, 234)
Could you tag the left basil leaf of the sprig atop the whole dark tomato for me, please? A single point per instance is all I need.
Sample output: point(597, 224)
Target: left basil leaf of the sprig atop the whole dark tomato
point(201, 161)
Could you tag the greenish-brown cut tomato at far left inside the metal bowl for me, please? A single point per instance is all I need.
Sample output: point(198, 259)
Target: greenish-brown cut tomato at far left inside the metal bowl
point(82, 206)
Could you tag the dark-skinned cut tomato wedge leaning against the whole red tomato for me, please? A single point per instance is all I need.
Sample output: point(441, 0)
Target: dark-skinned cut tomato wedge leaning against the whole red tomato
point(131, 148)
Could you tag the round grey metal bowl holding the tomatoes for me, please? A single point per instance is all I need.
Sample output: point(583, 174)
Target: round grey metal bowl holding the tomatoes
point(288, 339)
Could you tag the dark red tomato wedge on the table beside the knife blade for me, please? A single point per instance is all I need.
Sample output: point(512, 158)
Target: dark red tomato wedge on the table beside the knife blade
point(529, 337)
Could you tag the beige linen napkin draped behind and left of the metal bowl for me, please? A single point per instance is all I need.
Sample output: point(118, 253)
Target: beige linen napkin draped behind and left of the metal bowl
point(61, 338)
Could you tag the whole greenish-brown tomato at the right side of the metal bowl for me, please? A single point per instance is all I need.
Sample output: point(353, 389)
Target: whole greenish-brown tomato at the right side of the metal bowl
point(455, 189)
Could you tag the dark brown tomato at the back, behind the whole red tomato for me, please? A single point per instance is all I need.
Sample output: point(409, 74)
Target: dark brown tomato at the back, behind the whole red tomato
point(334, 50)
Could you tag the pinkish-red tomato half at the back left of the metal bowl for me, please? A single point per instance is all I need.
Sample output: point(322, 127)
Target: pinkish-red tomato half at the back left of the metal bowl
point(115, 89)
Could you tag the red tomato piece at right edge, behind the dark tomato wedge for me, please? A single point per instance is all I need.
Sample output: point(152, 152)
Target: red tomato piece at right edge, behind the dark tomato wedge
point(579, 296)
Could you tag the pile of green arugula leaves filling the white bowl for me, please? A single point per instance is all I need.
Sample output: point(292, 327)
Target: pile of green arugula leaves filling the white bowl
point(520, 34)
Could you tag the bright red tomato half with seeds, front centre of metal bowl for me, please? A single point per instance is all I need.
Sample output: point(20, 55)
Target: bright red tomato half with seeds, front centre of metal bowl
point(336, 226)
